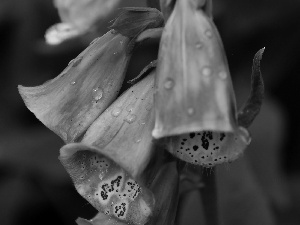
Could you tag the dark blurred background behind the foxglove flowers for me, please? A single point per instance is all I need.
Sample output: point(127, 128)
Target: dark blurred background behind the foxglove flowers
point(261, 188)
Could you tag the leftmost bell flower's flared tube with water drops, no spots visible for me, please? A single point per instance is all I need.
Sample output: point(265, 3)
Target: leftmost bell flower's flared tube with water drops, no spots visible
point(69, 103)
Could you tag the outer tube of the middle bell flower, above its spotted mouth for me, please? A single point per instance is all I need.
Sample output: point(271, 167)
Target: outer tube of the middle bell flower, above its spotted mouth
point(123, 131)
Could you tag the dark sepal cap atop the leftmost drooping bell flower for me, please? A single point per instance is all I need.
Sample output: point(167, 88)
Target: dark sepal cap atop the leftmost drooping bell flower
point(134, 20)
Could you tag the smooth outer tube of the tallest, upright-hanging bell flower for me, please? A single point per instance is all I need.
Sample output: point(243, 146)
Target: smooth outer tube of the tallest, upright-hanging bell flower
point(194, 86)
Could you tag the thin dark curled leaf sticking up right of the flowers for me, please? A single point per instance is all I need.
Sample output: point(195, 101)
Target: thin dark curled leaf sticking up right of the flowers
point(252, 106)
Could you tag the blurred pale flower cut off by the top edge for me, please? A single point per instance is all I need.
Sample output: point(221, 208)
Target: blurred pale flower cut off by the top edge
point(78, 17)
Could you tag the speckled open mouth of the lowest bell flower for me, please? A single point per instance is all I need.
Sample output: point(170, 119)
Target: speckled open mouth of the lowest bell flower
point(106, 185)
